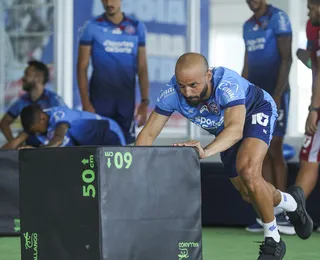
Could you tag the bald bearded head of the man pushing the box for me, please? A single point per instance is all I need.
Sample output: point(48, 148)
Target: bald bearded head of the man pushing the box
point(193, 77)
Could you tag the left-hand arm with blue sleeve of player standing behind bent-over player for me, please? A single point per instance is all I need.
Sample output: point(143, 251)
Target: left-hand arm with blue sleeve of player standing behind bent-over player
point(84, 55)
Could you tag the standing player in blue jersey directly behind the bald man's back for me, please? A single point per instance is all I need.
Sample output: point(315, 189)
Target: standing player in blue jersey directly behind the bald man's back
point(268, 38)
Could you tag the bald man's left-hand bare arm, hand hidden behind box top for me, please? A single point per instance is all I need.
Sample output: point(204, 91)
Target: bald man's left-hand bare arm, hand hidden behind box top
point(152, 129)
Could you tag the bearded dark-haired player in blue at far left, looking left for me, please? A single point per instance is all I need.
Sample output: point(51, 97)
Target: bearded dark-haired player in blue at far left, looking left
point(35, 77)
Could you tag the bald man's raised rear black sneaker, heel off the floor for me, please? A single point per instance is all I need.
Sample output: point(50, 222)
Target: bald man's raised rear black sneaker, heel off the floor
point(299, 218)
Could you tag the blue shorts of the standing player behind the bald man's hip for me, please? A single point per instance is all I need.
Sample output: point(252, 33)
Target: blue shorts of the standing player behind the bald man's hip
point(282, 121)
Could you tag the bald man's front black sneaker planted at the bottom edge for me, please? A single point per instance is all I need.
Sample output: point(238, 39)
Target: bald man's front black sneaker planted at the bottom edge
point(271, 250)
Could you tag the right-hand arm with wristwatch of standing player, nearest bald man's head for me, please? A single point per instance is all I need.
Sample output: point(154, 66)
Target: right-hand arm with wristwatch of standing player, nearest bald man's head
point(141, 115)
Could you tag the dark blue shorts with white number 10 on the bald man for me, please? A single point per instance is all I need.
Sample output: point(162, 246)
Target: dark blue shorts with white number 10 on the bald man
point(260, 124)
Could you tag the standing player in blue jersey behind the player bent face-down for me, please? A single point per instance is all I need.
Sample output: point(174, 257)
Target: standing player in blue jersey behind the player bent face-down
point(116, 45)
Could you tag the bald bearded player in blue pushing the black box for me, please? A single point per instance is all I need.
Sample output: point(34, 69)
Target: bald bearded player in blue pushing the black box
point(242, 117)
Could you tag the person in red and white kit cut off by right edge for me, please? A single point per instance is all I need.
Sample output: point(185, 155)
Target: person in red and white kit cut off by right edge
point(310, 151)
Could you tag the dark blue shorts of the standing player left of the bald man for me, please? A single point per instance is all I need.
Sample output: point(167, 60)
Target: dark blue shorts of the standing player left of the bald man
point(120, 110)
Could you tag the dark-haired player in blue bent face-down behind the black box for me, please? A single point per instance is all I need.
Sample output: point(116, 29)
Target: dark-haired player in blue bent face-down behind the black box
point(59, 125)
